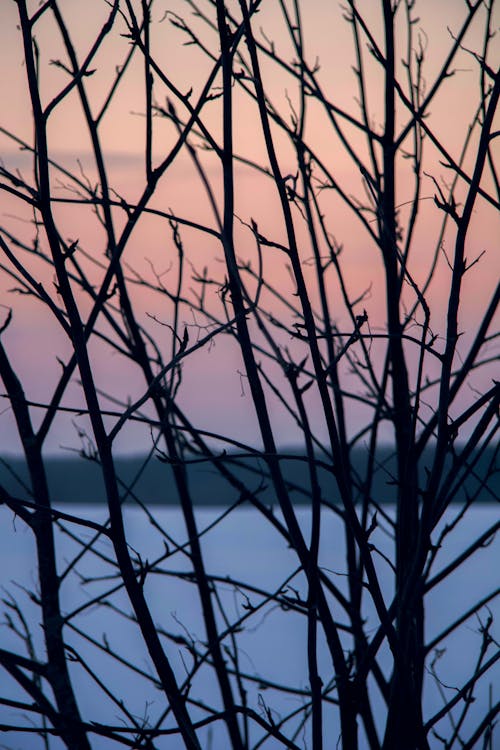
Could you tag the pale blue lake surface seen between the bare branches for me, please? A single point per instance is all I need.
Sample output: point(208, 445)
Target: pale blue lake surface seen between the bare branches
point(244, 546)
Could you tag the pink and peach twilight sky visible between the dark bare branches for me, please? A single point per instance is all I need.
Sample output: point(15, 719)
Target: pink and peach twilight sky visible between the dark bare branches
point(34, 340)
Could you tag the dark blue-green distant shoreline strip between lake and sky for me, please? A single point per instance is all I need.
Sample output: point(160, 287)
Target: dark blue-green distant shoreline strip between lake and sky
point(76, 480)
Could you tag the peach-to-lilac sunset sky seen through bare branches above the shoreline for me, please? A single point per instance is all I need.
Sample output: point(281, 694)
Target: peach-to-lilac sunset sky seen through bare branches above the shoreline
point(214, 391)
